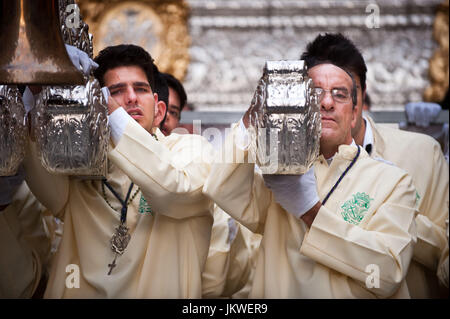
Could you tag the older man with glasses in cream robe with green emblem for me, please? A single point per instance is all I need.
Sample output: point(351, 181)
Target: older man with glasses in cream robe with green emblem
point(358, 245)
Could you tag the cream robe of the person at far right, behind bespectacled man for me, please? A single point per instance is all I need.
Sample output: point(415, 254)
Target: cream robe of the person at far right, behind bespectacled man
point(421, 156)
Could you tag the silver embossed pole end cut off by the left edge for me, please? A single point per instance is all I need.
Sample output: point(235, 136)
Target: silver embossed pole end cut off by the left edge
point(13, 130)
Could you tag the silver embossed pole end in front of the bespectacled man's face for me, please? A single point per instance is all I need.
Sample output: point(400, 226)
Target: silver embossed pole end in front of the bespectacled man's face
point(285, 118)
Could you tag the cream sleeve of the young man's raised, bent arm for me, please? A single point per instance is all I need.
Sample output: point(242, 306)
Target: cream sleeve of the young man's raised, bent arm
point(170, 178)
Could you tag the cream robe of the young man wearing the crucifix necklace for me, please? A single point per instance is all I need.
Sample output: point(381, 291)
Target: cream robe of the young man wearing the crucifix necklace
point(168, 248)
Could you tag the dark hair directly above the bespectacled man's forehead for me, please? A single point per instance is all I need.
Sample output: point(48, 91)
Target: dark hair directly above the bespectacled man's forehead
point(336, 49)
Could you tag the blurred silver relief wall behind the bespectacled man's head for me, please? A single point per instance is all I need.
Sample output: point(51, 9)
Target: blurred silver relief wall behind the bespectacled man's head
point(231, 40)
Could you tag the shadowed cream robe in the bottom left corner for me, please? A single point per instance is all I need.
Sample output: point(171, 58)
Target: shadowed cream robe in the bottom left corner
point(24, 245)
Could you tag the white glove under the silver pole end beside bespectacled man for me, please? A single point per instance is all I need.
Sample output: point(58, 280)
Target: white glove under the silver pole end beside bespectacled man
point(295, 193)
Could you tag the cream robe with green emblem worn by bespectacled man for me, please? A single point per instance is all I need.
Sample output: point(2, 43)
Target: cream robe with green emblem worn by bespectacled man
point(334, 258)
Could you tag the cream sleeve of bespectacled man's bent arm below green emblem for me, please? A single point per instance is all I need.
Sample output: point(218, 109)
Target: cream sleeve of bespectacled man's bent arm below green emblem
point(382, 245)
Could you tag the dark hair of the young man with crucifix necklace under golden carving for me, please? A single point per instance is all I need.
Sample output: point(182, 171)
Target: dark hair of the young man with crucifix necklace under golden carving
point(124, 55)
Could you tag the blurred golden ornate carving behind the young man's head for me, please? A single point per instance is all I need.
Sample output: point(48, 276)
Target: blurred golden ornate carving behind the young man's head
point(160, 26)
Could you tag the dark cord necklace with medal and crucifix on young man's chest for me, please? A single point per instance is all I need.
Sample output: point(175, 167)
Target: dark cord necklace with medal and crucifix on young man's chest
point(121, 237)
